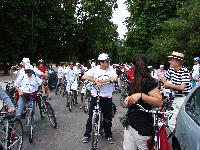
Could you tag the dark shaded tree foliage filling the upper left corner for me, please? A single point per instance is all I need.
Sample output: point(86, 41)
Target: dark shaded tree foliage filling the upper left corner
point(37, 29)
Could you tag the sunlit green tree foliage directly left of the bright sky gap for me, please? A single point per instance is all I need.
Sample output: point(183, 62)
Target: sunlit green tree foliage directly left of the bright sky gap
point(96, 31)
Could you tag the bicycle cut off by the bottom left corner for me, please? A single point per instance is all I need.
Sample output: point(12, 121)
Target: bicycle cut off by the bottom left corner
point(11, 131)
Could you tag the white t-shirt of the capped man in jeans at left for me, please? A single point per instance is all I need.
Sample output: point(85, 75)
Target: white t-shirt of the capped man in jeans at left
point(28, 84)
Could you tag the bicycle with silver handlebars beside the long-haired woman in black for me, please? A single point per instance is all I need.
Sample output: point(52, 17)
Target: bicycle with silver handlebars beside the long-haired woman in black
point(159, 119)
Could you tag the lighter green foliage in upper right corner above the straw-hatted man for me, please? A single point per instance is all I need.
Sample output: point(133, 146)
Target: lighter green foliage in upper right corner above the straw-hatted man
point(181, 33)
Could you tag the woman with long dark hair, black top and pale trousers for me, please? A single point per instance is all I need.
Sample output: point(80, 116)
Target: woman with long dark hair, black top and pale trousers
point(144, 91)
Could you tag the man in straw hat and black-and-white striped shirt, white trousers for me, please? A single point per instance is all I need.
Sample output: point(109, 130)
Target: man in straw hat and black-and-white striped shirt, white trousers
point(177, 78)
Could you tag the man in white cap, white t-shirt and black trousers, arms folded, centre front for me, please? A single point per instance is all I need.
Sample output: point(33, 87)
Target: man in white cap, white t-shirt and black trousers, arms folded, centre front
point(102, 75)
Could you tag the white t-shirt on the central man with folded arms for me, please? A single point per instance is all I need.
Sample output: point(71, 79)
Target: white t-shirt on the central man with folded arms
point(96, 72)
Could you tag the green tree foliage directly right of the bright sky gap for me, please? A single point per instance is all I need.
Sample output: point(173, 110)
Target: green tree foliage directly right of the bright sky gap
point(145, 24)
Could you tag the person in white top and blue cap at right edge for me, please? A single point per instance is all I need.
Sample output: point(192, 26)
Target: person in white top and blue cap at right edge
point(196, 71)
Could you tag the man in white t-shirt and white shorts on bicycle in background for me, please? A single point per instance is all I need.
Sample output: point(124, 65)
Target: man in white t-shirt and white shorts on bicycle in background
point(71, 81)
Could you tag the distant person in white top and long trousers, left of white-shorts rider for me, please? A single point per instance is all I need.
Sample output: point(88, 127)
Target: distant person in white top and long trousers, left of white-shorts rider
point(60, 75)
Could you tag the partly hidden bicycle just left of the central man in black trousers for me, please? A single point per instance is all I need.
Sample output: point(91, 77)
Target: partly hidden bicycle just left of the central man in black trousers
point(86, 96)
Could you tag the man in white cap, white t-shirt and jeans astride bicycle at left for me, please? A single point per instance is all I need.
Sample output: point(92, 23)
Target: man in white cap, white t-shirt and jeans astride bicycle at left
point(26, 86)
